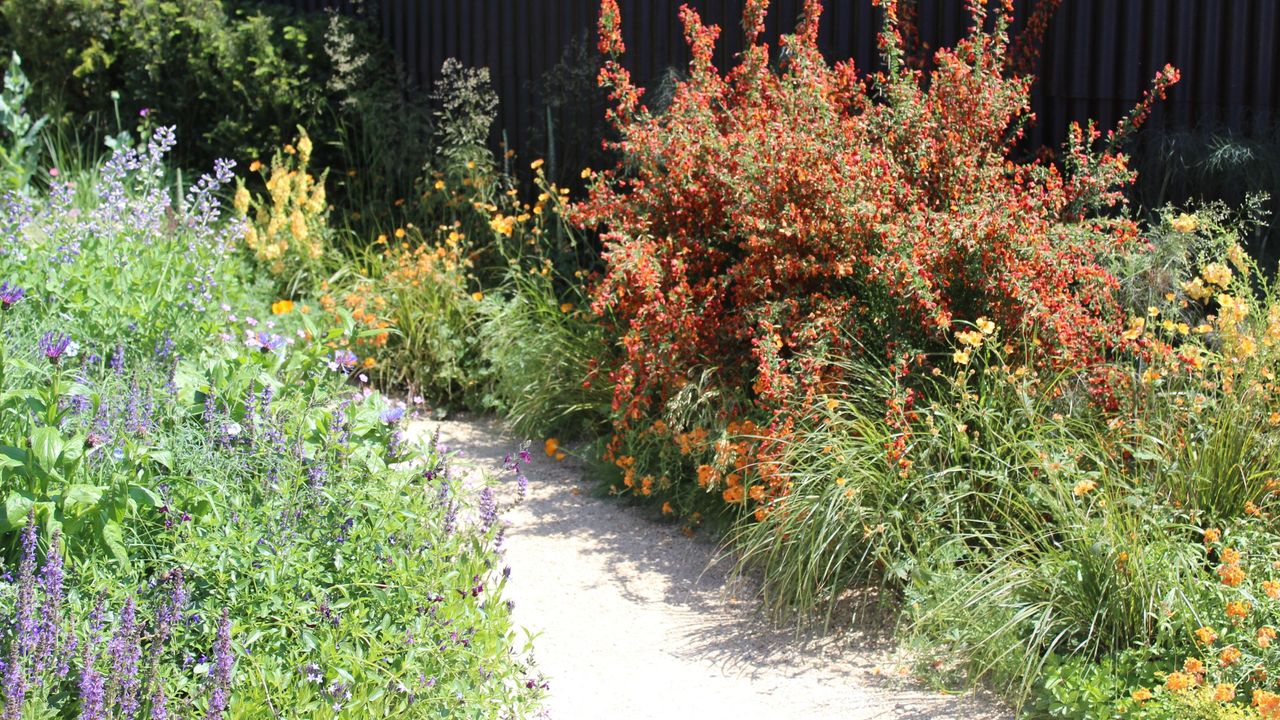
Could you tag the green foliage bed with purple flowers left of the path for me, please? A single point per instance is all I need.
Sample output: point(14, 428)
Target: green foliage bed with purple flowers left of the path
point(177, 441)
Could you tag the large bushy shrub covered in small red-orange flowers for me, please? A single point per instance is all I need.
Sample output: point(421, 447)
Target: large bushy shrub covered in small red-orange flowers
point(770, 220)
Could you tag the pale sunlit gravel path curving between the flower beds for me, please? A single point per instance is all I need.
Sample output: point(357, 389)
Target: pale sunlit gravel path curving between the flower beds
point(630, 622)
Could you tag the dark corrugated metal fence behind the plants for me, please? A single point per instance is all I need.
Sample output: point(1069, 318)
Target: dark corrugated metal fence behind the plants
point(1098, 60)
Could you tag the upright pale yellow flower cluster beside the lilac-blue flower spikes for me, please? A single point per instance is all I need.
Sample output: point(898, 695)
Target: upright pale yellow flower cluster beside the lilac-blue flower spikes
point(287, 226)
